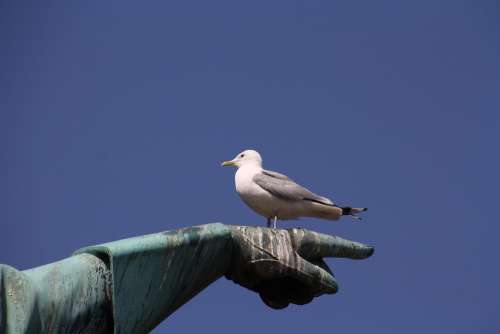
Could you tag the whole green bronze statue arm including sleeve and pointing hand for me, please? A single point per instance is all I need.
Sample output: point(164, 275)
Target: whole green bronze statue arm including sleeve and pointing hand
point(131, 285)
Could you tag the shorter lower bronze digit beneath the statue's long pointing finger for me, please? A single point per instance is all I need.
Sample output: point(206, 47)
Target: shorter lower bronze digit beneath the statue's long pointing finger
point(316, 278)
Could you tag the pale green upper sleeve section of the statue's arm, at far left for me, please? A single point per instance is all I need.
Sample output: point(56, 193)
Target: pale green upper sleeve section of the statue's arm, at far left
point(67, 296)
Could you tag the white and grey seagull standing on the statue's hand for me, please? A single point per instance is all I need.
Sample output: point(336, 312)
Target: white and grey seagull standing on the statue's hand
point(276, 196)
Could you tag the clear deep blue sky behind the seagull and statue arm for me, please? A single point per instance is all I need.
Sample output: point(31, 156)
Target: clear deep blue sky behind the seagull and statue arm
point(115, 115)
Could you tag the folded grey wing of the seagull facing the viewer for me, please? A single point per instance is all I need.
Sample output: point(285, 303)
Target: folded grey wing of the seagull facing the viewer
point(285, 188)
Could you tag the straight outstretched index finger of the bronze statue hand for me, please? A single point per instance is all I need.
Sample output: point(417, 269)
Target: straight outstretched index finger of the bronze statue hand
point(312, 245)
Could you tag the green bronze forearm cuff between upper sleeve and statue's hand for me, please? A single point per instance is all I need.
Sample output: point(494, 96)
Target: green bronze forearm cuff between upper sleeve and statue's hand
point(155, 274)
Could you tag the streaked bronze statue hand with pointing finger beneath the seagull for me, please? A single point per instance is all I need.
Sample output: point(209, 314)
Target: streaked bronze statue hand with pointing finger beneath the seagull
point(286, 266)
